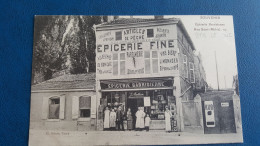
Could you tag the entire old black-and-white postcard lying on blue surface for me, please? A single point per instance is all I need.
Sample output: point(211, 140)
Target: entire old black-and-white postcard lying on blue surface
point(134, 80)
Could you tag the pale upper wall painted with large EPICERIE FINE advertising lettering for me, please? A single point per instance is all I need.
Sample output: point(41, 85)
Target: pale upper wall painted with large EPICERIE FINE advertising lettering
point(136, 51)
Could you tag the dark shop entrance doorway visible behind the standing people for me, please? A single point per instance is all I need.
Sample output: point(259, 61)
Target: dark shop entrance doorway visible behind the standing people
point(133, 104)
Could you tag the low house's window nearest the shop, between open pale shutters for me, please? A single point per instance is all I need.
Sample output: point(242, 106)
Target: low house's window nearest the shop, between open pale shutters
point(84, 106)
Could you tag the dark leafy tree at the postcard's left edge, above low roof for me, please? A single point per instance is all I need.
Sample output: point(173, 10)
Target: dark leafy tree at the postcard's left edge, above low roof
point(49, 55)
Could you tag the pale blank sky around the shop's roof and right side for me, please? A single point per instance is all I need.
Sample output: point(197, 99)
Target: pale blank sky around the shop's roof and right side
point(212, 35)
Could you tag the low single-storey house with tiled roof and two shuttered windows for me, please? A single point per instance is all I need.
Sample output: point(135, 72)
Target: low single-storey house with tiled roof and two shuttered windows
point(67, 102)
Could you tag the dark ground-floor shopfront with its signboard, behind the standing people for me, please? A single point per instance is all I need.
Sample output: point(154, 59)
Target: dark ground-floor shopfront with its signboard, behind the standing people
point(151, 94)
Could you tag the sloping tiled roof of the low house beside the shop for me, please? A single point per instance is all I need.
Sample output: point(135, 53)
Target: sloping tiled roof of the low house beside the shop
point(68, 81)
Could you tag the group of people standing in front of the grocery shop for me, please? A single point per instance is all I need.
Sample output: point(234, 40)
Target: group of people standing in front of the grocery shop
point(114, 119)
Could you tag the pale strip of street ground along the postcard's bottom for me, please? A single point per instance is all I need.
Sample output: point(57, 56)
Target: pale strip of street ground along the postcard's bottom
point(77, 138)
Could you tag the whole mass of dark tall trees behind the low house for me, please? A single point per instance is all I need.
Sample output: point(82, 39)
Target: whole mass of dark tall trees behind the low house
point(64, 42)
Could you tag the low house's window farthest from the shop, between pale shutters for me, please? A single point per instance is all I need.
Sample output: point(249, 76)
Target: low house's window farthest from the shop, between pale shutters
point(54, 108)
